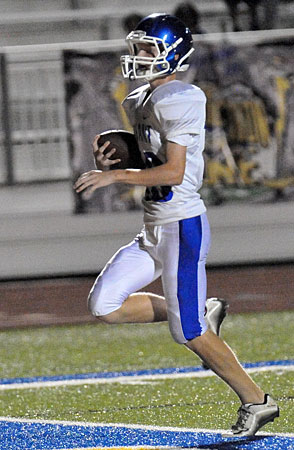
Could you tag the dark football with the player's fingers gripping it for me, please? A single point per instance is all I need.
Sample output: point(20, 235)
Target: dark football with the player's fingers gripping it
point(117, 149)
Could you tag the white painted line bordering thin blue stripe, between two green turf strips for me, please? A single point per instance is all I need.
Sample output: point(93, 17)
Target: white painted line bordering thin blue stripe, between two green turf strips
point(134, 379)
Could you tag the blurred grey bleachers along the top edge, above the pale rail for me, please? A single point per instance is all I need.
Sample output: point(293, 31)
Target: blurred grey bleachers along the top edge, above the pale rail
point(40, 21)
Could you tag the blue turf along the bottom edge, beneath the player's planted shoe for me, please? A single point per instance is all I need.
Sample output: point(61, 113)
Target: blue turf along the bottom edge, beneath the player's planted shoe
point(46, 436)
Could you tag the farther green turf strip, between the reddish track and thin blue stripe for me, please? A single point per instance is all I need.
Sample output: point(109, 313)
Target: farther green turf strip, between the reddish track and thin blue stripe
point(92, 348)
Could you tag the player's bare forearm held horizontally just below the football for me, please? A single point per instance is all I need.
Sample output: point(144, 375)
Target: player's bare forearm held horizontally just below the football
point(163, 175)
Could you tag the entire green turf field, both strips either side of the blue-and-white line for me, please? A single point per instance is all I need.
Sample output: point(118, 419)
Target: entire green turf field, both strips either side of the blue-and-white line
point(205, 403)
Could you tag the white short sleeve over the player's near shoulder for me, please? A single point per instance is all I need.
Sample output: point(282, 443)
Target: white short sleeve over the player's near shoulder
point(181, 114)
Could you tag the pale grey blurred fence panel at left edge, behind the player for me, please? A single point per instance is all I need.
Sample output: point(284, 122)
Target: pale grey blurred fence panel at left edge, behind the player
point(34, 120)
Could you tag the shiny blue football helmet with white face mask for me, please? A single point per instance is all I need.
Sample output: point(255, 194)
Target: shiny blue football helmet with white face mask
point(172, 42)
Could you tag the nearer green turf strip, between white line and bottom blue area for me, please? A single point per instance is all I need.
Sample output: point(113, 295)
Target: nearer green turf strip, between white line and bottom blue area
point(202, 403)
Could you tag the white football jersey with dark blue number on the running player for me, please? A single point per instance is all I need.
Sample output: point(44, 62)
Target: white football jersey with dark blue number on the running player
point(174, 111)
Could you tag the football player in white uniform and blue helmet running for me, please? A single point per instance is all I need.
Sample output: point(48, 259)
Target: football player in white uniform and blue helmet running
point(168, 118)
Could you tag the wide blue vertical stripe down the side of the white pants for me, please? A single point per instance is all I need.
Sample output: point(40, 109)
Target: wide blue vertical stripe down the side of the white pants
point(190, 239)
